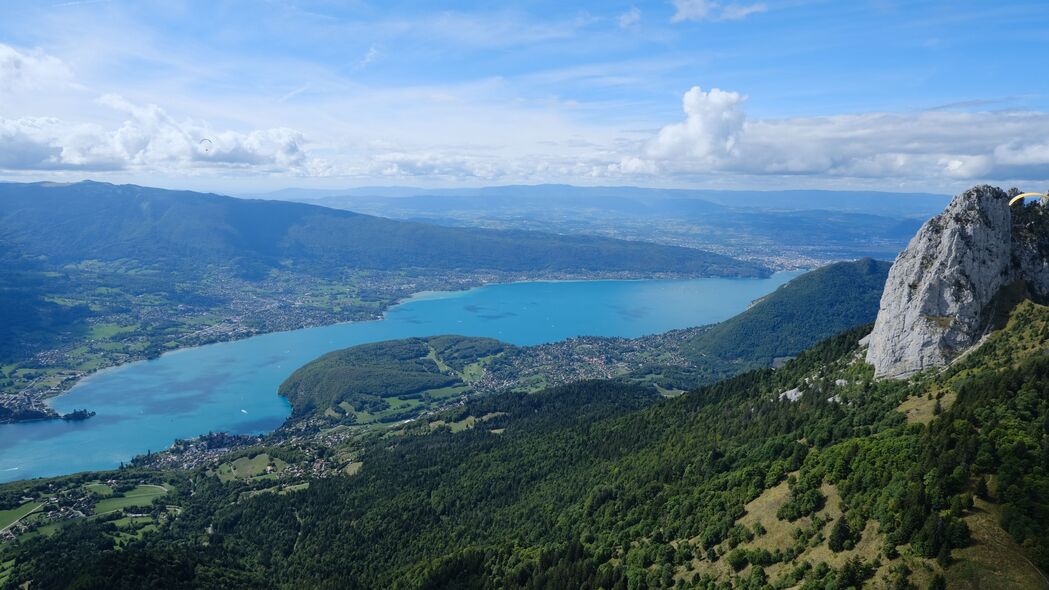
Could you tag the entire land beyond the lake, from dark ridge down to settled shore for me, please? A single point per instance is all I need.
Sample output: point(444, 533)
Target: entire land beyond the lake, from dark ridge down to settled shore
point(144, 283)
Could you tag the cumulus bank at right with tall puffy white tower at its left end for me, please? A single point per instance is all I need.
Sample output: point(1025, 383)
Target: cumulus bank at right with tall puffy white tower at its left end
point(717, 138)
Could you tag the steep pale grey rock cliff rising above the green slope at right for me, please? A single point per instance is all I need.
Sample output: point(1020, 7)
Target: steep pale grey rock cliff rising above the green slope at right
point(959, 276)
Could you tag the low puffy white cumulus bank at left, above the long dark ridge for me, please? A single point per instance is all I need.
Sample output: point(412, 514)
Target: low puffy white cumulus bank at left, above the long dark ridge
point(148, 139)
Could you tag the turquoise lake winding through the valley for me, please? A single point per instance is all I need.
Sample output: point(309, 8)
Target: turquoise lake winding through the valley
point(232, 387)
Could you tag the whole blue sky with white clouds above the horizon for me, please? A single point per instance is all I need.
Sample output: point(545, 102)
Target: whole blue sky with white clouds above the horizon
point(249, 97)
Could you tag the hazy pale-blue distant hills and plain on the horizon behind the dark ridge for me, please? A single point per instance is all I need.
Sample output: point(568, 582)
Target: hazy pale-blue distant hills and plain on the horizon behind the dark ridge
point(784, 229)
